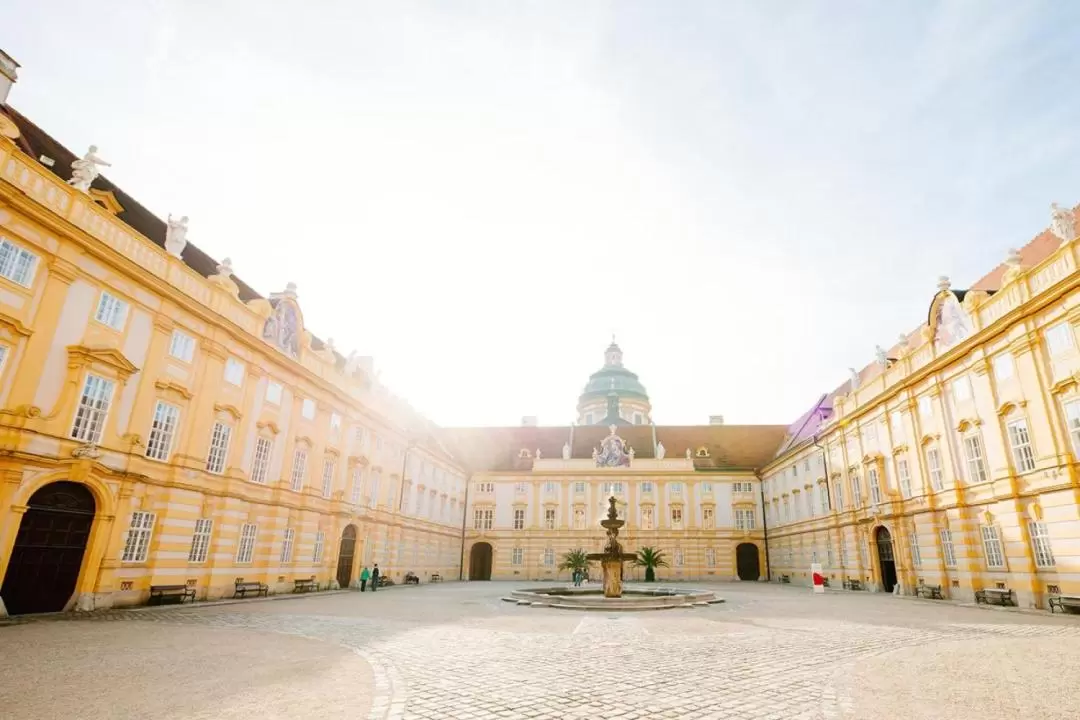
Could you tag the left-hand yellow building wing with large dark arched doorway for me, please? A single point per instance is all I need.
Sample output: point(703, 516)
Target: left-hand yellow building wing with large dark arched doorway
point(161, 424)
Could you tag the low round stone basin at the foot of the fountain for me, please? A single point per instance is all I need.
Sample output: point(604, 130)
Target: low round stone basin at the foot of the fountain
point(637, 597)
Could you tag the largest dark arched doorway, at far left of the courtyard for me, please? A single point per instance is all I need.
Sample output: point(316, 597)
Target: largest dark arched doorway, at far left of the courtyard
point(48, 554)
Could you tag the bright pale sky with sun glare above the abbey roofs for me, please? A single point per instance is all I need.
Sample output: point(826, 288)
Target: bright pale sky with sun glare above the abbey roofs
point(749, 196)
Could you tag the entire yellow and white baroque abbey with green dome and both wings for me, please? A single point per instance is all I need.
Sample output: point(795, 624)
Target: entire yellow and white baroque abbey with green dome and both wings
point(164, 424)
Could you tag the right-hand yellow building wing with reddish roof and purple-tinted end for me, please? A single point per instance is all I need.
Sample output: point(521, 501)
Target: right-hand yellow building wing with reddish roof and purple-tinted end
point(952, 459)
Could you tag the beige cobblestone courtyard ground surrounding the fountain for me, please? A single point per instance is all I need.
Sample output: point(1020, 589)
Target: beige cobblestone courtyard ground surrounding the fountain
point(457, 651)
